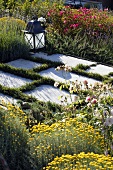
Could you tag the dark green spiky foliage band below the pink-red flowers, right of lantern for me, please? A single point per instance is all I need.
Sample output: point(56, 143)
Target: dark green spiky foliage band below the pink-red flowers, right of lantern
point(98, 49)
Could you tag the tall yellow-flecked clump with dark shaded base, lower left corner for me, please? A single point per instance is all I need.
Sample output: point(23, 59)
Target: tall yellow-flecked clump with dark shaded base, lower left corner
point(14, 138)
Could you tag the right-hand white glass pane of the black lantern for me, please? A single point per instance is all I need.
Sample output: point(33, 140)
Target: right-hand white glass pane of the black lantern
point(39, 40)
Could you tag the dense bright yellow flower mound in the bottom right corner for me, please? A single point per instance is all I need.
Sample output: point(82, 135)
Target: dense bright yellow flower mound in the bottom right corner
point(81, 161)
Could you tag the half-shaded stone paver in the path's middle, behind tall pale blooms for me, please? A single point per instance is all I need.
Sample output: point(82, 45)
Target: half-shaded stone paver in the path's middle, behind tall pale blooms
point(62, 76)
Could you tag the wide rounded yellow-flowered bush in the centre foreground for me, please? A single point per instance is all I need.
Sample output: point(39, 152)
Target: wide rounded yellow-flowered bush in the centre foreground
point(65, 137)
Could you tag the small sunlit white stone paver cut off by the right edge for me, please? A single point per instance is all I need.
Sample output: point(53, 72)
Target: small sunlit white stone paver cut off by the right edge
point(100, 69)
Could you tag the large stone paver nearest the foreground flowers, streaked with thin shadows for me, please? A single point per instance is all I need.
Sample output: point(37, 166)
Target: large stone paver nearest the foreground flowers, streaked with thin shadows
point(49, 93)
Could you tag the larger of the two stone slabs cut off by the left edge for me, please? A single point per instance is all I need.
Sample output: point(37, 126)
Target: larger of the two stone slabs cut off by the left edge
point(12, 81)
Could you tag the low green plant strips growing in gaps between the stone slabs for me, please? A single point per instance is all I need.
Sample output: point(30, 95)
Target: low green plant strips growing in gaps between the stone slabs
point(39, 80)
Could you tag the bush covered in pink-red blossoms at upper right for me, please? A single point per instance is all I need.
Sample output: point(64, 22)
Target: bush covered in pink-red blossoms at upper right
point(92, 21)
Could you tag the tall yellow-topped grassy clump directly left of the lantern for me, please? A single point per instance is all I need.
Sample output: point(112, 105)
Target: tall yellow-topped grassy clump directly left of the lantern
point(12, 44)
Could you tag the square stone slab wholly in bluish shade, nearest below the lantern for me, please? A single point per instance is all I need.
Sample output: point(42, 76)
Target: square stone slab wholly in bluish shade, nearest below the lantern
point(24, 64)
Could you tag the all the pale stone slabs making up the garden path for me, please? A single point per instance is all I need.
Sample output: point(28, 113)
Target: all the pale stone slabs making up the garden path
point(47, 92)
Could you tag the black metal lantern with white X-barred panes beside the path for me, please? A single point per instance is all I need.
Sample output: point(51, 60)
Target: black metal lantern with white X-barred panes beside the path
point(35, 34)
